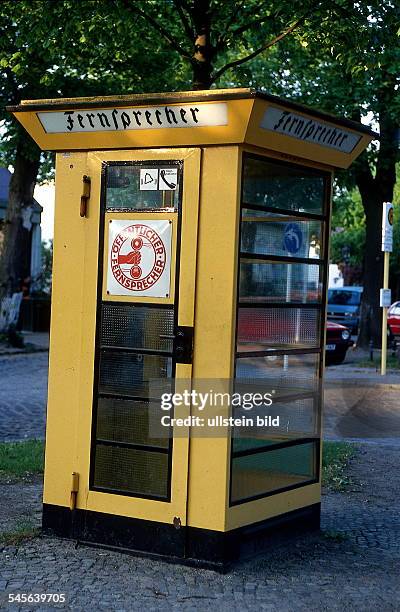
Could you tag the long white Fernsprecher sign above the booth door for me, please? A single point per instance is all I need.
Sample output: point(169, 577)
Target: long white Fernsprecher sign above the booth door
point(134, 118)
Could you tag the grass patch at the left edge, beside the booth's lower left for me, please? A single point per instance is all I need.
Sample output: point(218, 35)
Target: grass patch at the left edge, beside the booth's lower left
point(21, 459)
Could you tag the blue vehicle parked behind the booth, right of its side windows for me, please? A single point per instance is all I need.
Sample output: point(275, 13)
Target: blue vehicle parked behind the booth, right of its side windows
point(344, 306)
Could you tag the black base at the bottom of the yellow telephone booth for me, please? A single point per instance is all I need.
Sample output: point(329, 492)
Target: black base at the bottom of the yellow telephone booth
point(186, 545)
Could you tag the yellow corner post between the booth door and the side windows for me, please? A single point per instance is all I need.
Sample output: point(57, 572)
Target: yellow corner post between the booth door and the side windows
point(215, 320)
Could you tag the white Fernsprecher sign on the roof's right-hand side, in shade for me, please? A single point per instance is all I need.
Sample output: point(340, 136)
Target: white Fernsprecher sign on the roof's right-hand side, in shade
point(299, 127)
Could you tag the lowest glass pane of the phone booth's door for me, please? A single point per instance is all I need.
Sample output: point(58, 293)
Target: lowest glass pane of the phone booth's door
point(130, 470)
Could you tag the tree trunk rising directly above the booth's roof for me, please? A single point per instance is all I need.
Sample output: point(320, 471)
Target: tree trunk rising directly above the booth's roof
point(204, 51)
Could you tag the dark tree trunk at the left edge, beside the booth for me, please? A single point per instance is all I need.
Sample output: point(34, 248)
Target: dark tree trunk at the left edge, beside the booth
point(15, 247)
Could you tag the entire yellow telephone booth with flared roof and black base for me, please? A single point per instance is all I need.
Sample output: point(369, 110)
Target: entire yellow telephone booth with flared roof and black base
point(190, 248)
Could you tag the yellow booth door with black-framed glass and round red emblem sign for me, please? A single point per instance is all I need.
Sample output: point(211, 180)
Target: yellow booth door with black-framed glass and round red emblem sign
point(144, 331)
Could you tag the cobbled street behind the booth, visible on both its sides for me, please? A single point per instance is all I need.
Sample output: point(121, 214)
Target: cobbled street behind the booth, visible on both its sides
point(357, 404)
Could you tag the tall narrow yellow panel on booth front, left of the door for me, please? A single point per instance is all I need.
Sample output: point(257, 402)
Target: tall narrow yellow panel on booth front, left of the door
point(67, 330)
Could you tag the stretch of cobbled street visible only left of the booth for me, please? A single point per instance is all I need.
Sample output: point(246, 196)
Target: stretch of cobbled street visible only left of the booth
point(23, 393)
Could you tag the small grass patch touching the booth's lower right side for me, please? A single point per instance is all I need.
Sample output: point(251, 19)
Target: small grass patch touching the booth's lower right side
point(335, 459)
